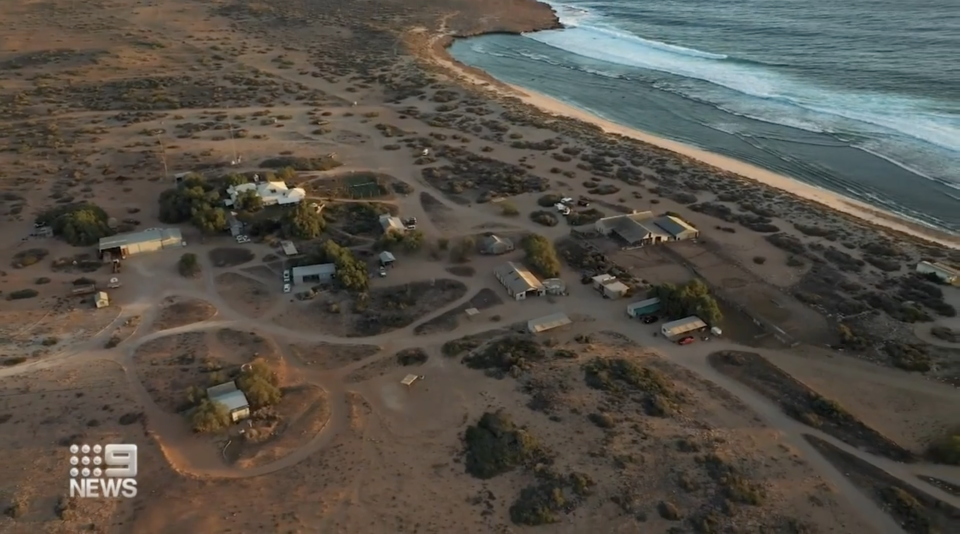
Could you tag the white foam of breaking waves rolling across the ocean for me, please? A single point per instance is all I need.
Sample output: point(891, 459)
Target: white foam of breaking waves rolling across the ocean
point(590, 34)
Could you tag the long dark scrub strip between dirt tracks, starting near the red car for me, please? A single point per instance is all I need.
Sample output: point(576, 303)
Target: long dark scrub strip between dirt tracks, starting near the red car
point(804, 404)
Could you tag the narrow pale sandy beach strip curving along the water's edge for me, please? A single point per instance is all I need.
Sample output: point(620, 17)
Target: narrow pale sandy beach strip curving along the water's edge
point(863, 212)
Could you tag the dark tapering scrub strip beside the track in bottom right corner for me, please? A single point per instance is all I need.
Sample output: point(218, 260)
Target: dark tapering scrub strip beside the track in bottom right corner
point(916, 511)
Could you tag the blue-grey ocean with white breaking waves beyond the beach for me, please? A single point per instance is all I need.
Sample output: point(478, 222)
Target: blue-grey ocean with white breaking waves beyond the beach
point(861, 98)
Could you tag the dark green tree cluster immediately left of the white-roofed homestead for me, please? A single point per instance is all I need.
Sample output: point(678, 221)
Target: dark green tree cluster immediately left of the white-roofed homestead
point(194, 200)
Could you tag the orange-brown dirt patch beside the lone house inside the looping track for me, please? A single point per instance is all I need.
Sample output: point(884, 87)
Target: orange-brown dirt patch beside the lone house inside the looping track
point(282, 429)
